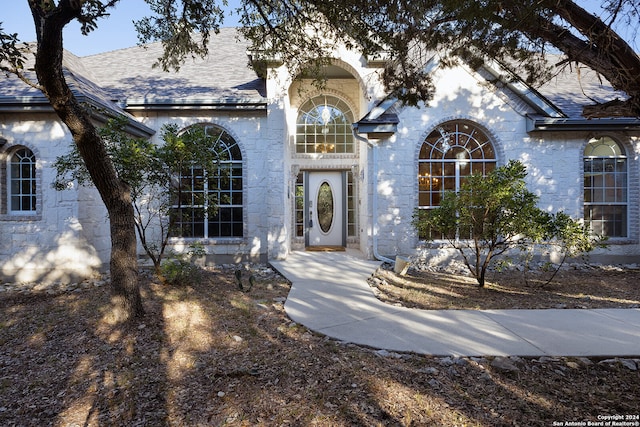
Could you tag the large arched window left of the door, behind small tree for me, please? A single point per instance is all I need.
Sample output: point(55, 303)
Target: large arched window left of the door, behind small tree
point(223, 186)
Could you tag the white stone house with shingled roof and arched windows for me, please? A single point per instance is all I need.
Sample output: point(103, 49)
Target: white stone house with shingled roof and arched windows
point(340, 166)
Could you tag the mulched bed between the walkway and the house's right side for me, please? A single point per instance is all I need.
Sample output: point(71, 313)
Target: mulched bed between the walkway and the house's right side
point(580, 286)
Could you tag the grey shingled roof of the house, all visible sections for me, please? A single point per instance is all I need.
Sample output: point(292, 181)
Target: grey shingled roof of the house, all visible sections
point(125, 80)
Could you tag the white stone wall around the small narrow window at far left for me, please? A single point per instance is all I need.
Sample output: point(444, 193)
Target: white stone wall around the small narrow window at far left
point(52, 244)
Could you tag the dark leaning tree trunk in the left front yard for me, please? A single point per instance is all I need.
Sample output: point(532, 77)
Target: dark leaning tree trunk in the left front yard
point(114, 193)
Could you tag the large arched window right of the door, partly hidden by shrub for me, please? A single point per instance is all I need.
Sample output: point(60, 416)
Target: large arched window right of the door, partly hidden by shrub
point(452, 152)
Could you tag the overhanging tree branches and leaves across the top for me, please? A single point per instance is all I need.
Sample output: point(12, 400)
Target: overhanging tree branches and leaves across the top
point(302, 33)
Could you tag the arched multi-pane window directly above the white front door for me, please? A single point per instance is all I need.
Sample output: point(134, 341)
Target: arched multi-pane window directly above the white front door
point(324, 126)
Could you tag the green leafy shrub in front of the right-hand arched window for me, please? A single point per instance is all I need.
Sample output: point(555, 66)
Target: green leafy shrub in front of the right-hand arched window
point(494, 213)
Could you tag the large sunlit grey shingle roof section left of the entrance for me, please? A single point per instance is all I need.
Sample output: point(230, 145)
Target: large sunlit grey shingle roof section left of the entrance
point(222, 80)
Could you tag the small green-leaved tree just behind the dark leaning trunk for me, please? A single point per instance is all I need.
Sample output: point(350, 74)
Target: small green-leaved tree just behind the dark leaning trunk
point(152, 173)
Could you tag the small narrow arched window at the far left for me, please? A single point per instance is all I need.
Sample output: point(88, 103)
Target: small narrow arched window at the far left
point(22, 182)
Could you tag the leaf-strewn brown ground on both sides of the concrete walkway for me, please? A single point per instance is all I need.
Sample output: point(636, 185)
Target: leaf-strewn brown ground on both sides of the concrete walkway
point(209, 354)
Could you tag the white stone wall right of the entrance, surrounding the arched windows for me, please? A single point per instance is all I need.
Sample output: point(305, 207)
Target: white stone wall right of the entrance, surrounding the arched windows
point(554, 164)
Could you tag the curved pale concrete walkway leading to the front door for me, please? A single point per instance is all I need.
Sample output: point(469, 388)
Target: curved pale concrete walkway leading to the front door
point(330, 295)
